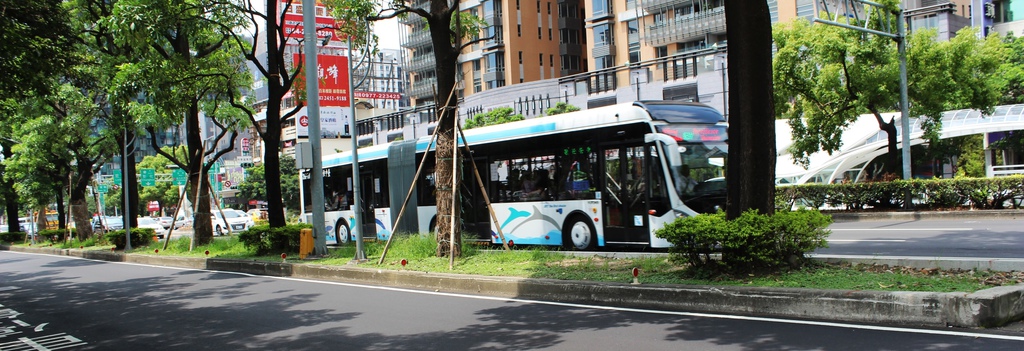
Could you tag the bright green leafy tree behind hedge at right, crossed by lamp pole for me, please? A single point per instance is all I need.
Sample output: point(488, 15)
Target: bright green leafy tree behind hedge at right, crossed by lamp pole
point(827, 77)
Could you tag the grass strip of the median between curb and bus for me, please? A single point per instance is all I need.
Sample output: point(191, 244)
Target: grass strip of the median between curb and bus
point(418, 251)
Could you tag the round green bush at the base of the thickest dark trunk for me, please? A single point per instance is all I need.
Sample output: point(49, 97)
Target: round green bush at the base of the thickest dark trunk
point(751, 243)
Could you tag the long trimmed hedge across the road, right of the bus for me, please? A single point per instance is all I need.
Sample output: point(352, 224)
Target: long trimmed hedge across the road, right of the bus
point(934, 194)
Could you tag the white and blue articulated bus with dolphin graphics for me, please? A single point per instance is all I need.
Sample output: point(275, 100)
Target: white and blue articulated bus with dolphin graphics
point(601, 178)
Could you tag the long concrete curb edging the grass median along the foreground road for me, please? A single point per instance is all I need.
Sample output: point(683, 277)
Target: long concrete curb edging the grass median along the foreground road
point(992, 308)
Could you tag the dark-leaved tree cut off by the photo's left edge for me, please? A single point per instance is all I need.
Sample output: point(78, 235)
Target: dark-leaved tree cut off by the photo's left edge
point(30, 31)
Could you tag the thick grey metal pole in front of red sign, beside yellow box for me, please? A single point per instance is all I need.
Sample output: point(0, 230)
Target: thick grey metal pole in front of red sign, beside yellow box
point(313, 111)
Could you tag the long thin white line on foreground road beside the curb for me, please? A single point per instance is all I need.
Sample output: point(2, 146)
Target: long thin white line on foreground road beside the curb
point(609, 309)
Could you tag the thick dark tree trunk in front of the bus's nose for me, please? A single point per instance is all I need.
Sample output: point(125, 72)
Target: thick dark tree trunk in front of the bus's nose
point(752, 122)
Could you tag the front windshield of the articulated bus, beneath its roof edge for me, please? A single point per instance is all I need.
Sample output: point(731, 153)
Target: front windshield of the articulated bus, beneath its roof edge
point(701, 175)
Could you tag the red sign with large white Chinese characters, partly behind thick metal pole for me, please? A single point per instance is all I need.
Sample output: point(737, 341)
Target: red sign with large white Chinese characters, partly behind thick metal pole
point(333, 78)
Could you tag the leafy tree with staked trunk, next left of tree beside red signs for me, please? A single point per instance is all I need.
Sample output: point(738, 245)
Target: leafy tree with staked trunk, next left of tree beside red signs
point(187, 69)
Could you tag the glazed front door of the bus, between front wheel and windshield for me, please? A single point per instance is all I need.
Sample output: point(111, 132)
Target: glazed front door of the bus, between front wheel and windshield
point(625, 196)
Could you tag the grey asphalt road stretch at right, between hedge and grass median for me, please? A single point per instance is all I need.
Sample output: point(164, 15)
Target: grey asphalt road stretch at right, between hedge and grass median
point(970, 238)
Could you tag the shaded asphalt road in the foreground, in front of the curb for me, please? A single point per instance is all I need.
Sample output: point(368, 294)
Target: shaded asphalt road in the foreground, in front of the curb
point(50, 302)
